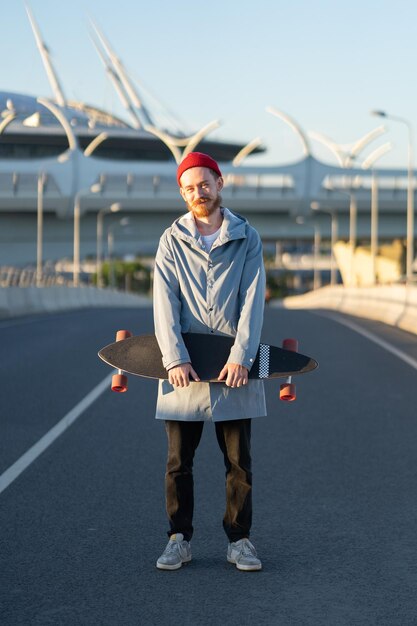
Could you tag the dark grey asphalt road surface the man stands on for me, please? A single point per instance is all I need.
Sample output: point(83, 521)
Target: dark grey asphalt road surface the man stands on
point(335, 484)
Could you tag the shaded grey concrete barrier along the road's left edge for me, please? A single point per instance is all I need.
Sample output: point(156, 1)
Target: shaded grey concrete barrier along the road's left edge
point(17, 301)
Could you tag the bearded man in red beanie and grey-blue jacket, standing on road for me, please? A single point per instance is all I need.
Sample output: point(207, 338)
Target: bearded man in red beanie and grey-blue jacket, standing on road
point(209, 278)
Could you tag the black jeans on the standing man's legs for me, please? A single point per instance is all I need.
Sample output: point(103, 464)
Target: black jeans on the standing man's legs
point(234, 441)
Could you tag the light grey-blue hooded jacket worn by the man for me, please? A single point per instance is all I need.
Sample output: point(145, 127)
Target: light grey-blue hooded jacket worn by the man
point(221, 292)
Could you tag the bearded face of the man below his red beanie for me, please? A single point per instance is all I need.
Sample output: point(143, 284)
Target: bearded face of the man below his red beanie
point(201, 191)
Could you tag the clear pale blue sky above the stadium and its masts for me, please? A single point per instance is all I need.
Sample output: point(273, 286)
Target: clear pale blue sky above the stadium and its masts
point(325, 63)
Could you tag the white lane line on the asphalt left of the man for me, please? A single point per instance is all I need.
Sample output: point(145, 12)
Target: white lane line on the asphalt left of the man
point(40, 446)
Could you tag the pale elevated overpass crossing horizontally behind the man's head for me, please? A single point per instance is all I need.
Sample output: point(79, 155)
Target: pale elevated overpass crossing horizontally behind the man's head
point(270, 197)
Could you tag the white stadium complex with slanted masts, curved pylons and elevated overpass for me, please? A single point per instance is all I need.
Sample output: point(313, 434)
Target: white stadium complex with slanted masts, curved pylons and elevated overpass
point(64, 163)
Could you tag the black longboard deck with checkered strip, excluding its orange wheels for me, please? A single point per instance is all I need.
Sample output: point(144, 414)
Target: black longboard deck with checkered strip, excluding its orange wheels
point(140, 355)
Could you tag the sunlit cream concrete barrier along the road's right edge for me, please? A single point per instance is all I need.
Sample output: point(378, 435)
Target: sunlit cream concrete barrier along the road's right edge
point(394, 304)
